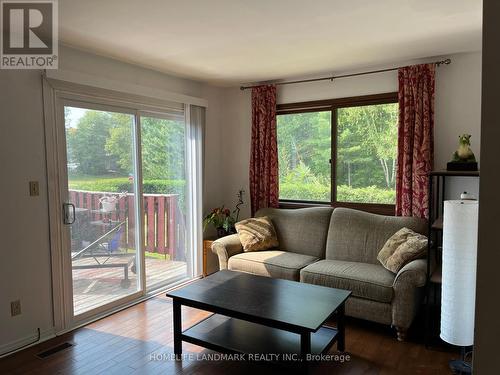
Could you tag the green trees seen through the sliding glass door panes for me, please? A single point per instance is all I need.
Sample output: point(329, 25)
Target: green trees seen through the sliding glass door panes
point(103, 141)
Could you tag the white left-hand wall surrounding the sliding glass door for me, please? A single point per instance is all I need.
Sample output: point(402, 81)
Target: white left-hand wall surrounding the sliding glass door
point(25, 263)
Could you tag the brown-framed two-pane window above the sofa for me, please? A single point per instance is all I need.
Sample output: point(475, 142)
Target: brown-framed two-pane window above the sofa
point(341, 152)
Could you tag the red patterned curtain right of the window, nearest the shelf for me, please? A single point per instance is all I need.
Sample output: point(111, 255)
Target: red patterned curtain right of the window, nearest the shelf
point(415, 139)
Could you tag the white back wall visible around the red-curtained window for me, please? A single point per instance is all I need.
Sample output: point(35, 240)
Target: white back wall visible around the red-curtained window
point(457, 110)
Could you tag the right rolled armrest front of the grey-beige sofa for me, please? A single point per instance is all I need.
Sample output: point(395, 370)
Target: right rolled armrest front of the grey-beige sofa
point(408, 294)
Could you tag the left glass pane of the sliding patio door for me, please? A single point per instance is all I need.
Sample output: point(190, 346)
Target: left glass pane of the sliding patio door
point(101, 210)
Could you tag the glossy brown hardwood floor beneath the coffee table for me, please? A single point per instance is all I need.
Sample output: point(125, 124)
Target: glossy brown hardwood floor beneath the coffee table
point(139, 340)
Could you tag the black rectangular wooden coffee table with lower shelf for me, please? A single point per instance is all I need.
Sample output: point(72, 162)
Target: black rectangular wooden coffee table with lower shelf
point(256, 314)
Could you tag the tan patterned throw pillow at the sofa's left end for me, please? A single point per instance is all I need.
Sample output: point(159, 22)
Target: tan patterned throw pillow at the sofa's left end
point(257, 234)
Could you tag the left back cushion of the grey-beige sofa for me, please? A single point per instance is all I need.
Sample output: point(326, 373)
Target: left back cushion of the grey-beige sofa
point(302, 230)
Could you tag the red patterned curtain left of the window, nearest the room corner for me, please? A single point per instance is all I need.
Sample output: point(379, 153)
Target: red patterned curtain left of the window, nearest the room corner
point(264, 187)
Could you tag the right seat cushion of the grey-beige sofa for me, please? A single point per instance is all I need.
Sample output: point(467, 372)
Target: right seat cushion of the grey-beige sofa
point(365, 280)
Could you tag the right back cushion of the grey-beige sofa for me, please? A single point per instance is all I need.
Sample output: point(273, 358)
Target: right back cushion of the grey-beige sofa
point(358, 236)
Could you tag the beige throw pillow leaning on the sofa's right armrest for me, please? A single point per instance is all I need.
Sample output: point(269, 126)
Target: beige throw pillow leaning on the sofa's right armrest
point(404, 246)
